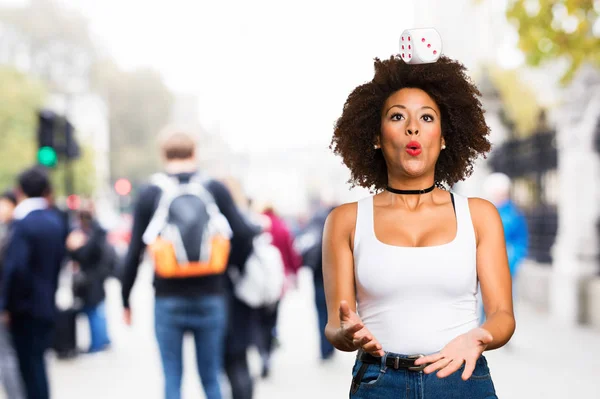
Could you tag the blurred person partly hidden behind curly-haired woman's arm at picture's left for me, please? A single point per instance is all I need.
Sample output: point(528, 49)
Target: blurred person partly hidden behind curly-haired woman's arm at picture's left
point(310, 243)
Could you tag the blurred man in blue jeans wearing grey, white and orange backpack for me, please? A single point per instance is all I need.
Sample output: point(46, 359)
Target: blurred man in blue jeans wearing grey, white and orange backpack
point(193, 230)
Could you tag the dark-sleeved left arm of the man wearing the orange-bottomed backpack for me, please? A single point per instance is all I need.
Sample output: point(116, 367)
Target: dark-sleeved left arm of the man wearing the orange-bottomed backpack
point(143, 211)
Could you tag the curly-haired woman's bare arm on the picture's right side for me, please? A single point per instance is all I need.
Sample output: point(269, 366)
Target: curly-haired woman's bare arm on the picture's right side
point(493, 272)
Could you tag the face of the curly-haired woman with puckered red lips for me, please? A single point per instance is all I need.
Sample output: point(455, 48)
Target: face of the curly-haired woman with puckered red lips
point(411, 133)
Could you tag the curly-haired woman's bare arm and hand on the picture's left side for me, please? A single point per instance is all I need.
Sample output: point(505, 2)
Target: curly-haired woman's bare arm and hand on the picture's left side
point(344, 328)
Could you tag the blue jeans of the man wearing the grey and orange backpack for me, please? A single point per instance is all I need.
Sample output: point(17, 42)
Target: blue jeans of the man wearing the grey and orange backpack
point(205, 317)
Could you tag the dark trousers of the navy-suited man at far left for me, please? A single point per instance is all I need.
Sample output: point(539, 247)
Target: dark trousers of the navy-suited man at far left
point(32, 337)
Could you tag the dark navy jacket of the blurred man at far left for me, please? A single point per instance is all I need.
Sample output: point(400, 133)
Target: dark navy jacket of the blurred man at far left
point(32, 262)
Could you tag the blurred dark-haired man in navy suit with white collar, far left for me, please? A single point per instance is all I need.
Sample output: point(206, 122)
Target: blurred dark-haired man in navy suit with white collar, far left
point(31, 265)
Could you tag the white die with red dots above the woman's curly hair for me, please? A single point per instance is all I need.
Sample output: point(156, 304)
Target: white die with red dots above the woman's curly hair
point(420, 46)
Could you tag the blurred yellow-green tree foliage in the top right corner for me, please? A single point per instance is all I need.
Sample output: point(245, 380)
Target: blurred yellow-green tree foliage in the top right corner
point(551, 29)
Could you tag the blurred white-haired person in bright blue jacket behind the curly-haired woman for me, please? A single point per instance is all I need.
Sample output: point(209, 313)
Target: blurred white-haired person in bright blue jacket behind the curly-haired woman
point(496, 188)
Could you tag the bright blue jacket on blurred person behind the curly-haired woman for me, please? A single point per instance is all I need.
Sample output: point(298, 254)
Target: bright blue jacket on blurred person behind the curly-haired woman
point(515, 233)
